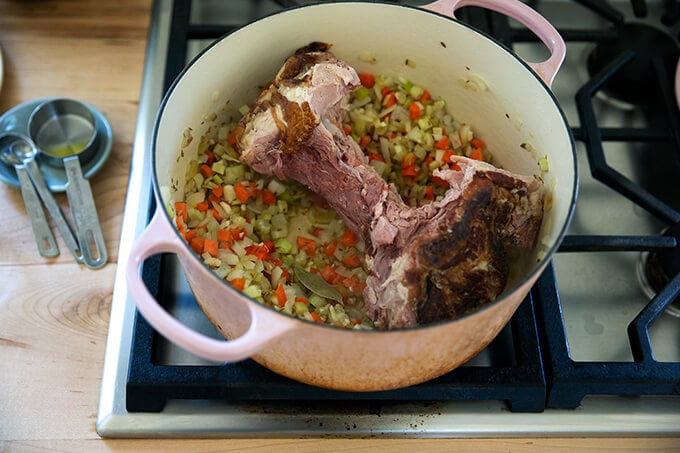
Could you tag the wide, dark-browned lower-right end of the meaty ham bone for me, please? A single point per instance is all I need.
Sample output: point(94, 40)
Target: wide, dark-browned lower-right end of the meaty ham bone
point(450, 256)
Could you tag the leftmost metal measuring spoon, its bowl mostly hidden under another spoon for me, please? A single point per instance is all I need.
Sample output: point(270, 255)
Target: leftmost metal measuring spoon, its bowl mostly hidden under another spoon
point(47, 245)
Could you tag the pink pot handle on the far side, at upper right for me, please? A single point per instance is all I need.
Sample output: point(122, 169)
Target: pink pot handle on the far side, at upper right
point(526, 16)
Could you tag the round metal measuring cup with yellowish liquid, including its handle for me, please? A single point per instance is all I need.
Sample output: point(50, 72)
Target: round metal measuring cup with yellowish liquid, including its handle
point(65, 133)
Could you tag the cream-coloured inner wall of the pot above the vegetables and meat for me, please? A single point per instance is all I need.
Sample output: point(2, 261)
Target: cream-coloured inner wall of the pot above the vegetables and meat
point(483, 84)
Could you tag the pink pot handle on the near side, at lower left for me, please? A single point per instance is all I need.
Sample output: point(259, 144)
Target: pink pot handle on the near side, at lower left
point(157, 238)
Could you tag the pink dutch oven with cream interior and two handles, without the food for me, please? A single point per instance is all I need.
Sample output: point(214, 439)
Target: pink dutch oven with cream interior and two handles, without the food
point(506, 100)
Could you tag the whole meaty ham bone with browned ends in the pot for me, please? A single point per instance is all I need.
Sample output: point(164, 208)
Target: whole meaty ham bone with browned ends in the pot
point(424, 264)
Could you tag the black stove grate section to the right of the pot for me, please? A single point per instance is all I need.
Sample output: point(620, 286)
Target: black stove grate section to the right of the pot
point(571, 381)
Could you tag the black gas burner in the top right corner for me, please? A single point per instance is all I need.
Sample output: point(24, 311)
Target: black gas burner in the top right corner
point(635, 83)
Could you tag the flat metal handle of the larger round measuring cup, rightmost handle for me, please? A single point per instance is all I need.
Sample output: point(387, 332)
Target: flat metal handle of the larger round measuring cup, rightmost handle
point(88, 228)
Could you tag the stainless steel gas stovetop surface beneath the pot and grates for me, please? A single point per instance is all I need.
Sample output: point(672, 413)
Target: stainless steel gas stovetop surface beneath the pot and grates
point(601, 285)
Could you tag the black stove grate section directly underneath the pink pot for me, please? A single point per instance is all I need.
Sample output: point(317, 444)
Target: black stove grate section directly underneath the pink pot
point(515, 375)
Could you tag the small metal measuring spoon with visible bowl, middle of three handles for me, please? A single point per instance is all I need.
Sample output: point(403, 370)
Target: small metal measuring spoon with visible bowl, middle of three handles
point(25, 151)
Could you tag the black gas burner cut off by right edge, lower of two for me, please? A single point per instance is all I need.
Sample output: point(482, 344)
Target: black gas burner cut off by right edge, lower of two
point(660, 266)
